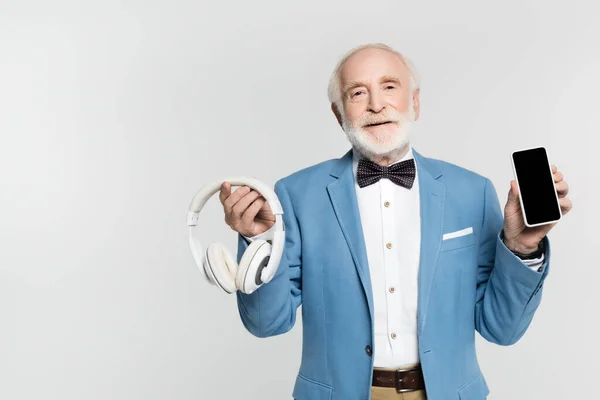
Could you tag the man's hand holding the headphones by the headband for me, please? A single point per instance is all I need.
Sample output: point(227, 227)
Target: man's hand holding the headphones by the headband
point(246, 211)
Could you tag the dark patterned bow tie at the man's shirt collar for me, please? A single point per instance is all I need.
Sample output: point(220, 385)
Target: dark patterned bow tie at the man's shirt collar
point(402, 173)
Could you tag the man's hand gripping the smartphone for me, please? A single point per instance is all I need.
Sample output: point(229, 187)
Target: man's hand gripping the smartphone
point(524, 239)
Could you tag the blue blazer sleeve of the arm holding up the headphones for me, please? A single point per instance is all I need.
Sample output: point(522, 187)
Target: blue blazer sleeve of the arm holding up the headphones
point(271, 309)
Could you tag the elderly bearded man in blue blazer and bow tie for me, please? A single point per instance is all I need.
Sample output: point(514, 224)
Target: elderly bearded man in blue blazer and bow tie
point(396, 258)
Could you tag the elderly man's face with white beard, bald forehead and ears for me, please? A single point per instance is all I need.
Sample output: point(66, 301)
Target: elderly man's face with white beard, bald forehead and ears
point(379, 104)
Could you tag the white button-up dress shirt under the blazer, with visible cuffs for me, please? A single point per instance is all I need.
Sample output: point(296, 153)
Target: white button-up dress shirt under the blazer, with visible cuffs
point(390, 217)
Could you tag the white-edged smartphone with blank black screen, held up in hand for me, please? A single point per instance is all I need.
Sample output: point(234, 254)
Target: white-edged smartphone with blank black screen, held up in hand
point(537, 193)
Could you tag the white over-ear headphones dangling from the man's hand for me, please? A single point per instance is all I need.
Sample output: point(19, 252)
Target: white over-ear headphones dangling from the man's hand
point(259, 262)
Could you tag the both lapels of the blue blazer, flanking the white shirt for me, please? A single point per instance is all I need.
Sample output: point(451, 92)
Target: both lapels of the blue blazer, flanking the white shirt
point(342, 194)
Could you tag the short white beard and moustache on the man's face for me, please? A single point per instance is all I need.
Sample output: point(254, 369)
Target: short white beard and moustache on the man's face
point(383, 144)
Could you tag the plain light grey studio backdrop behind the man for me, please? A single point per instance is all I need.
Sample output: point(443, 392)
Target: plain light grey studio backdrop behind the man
point(114, 114)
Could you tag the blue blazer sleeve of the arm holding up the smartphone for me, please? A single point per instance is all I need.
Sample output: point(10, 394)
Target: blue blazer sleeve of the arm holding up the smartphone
point(508, 292)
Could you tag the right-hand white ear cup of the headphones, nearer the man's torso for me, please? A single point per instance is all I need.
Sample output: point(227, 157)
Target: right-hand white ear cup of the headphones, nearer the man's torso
point(254, 259)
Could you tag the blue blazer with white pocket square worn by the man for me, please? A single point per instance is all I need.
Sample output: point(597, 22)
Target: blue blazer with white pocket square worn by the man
point(466, 284)
